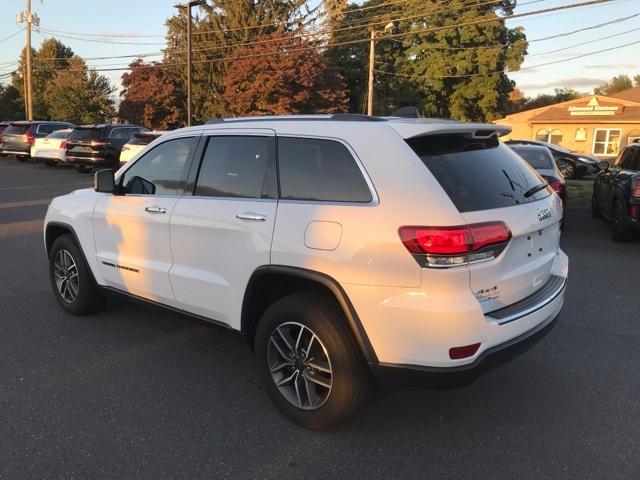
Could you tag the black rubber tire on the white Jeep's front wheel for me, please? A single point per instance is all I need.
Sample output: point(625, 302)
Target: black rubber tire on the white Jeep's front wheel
point(88, 298)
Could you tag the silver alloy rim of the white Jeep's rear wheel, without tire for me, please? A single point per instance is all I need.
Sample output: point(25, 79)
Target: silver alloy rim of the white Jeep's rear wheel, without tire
point(300, 365)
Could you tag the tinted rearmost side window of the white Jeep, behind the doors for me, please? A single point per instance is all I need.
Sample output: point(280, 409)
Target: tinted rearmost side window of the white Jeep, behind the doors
point(320, 170)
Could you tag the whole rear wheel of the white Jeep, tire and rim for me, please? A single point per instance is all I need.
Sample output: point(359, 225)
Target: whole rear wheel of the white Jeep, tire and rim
point(308, 361)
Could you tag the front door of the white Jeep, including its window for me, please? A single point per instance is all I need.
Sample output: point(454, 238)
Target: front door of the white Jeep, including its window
point(131, 229)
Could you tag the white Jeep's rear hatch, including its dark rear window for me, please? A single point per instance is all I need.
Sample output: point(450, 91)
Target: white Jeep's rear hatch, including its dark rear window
point(488, 182)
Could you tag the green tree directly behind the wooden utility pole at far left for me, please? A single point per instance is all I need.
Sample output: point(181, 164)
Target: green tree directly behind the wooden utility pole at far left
point(51, 57)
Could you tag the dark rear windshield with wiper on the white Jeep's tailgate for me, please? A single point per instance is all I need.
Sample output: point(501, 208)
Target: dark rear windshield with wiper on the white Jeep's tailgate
point(477, 174)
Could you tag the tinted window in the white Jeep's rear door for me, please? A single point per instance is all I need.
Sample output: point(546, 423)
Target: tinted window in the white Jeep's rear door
point(235, 166)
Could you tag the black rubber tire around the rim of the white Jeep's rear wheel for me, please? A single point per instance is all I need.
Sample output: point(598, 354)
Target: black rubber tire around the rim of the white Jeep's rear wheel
point(350, 377)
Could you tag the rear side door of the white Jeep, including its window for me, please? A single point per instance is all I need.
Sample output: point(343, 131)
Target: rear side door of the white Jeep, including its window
point(222, 233)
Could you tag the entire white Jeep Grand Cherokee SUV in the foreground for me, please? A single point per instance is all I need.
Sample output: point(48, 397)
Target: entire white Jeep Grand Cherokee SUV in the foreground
point(337, 245)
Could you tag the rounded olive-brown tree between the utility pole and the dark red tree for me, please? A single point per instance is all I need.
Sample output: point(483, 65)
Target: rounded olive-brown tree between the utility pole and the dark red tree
point(79, 95)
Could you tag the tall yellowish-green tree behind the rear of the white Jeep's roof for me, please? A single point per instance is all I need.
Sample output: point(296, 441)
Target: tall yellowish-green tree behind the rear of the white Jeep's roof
point(462, 69)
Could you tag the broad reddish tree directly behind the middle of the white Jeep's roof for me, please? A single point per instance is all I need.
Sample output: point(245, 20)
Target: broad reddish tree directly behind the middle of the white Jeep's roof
point(283, 79)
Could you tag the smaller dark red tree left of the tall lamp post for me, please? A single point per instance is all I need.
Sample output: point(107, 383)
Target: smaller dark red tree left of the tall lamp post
point(150, 97)
